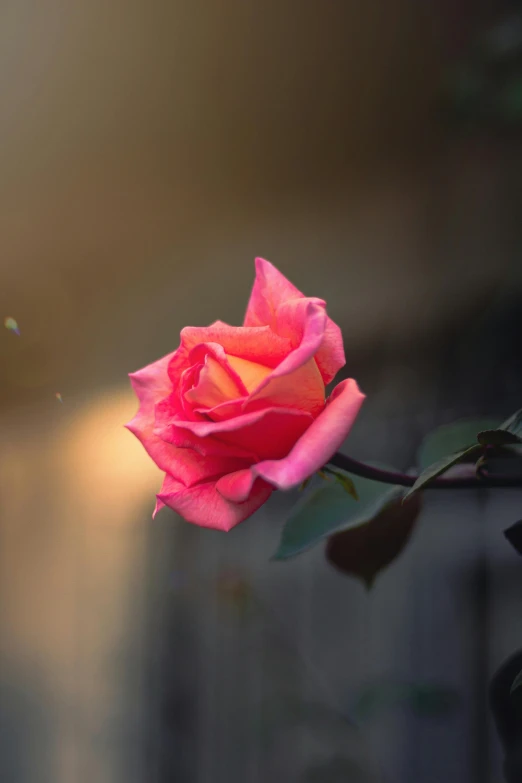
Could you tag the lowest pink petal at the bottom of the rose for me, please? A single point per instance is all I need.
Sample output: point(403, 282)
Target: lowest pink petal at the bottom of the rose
point(203, 505)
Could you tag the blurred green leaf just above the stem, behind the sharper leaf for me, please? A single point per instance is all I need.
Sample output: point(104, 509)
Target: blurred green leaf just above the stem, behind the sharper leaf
point(452, 438)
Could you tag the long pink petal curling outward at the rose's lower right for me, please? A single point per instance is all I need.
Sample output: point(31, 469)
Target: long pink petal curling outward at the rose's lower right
point(320, 441)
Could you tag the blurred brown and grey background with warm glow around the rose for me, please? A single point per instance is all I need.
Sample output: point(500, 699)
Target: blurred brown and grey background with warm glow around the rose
point(149, 151)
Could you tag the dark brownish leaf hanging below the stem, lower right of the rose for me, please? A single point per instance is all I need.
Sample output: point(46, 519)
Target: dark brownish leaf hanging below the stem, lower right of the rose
point(364, 550)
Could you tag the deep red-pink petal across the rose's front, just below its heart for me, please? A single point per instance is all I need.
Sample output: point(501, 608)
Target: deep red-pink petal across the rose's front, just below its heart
point(270, 432)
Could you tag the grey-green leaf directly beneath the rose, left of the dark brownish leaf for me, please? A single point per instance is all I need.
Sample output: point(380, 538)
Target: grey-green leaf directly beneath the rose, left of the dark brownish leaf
point(327, 510)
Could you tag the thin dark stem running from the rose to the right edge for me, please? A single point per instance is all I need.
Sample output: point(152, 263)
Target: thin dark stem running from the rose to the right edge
point(405, 480)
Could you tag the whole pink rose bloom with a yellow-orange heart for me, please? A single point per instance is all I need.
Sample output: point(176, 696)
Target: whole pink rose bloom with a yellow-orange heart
point(238, 411)
